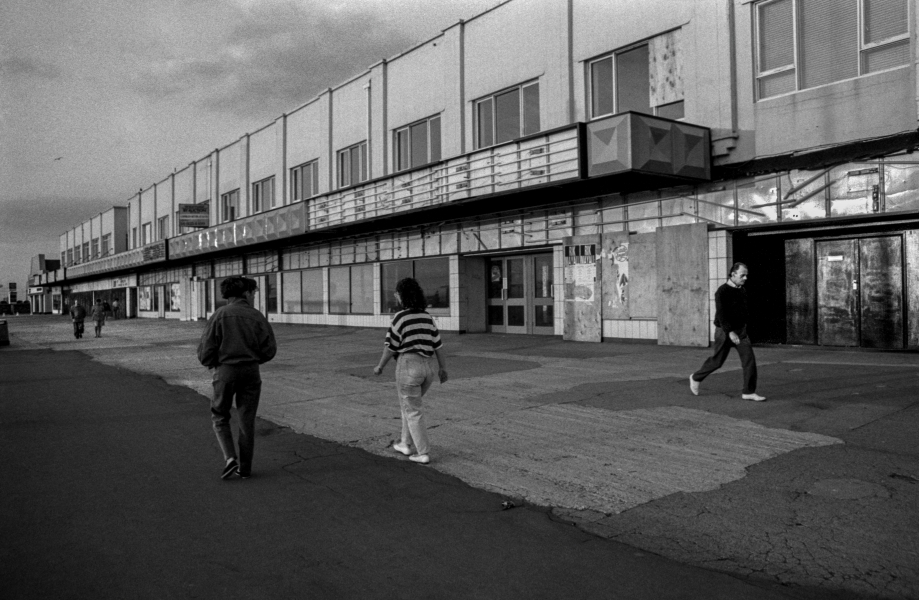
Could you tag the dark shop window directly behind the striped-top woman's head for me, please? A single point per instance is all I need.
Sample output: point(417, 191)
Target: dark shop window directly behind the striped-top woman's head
point(432, 274)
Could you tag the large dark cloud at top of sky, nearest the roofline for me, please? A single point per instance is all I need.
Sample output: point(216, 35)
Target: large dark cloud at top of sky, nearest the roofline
point(275, 57)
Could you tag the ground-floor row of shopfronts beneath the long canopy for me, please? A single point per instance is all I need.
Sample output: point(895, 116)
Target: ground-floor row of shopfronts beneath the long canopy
point(849, 284)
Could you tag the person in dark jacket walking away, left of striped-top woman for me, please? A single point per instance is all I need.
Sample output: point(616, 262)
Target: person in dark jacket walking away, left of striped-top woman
point(236, 340)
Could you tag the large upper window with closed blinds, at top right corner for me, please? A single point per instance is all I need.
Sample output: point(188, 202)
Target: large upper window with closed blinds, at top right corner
point(806, 43)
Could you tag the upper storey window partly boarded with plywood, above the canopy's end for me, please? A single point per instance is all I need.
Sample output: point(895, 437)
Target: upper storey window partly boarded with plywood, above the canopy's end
point(645, 78)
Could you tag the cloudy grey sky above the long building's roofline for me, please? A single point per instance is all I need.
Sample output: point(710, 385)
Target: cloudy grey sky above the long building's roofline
point(101, 98)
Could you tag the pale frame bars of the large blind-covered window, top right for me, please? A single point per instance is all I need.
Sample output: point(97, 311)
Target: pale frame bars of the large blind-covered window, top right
point(797, 36)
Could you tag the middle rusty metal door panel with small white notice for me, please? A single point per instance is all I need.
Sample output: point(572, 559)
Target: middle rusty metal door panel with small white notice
point(837, 293)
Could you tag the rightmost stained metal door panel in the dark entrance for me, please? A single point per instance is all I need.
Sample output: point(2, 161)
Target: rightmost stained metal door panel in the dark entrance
point(881, 283)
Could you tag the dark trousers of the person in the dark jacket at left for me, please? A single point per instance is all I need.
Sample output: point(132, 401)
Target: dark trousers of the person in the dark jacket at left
point(244, 382)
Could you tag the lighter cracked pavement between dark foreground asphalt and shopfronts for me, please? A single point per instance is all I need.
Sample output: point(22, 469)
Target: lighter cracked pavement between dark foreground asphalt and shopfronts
point(813, 493)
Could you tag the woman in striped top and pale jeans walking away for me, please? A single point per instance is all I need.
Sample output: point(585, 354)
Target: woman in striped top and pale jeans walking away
point(414, 341)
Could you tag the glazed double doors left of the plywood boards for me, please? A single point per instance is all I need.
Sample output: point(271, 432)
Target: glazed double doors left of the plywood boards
point(521, 295)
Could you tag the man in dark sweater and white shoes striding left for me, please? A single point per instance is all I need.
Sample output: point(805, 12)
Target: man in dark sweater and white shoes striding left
point(731, 316)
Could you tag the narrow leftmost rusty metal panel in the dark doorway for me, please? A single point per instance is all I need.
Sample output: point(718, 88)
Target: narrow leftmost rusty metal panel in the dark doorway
point(800, 292)
